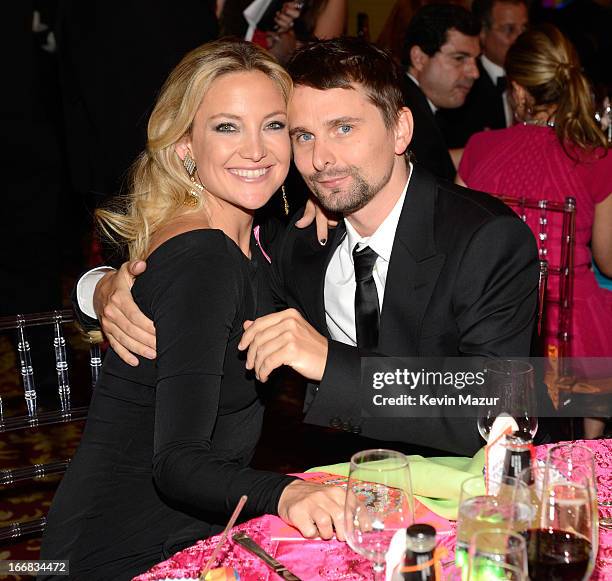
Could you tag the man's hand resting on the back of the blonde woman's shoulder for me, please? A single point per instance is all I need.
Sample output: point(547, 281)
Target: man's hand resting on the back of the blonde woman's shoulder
point(127, 329)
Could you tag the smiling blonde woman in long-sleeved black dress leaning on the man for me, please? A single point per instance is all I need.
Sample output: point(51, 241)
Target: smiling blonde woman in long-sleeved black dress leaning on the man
point(165, 452)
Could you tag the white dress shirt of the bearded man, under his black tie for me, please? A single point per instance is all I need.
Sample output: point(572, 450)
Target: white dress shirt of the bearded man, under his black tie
point(340, 276)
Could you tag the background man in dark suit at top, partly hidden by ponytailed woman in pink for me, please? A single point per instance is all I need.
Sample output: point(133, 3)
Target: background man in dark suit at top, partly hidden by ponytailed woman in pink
point(487, 106)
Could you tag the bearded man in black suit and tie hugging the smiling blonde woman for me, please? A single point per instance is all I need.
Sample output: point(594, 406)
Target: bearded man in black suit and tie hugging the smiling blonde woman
point(418, 267)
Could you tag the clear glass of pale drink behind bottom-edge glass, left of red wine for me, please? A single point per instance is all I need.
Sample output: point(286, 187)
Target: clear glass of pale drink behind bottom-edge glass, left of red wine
point(480, 511)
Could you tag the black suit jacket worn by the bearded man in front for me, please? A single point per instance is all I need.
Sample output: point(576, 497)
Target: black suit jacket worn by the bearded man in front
point(462, 280)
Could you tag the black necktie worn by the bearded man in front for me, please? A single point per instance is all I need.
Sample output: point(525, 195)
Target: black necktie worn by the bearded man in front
point(366, 298)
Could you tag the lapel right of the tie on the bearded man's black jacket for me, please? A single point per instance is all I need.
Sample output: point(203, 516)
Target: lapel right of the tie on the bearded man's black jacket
point(413, 269)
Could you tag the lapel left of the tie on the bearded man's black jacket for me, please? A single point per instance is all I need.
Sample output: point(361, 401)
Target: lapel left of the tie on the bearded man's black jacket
point(309, 268)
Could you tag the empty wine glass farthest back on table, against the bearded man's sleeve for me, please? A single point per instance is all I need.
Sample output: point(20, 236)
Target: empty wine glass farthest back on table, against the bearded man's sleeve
point(511, 382)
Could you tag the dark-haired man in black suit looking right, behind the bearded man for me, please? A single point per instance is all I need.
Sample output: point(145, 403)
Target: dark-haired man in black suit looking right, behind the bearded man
point(440, 51)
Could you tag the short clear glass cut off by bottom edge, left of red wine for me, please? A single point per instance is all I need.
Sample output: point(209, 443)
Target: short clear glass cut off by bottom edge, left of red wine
point(494, 547)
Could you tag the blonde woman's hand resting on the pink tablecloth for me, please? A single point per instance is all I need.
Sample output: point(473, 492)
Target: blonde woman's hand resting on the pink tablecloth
point(314, 509)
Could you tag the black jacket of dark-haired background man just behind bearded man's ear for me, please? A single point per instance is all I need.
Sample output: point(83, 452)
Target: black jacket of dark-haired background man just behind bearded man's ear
point(428, 145)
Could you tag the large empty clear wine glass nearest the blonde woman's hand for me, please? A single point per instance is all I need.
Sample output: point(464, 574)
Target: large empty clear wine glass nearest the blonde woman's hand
point(378, 503)
